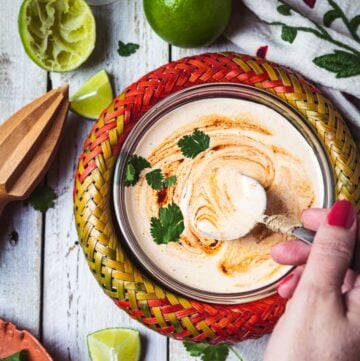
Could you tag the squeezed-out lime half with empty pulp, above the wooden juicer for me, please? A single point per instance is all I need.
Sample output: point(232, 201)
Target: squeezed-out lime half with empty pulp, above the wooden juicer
point(57, 35)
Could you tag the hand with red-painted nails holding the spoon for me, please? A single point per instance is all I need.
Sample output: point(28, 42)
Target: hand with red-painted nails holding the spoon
point(322, 319)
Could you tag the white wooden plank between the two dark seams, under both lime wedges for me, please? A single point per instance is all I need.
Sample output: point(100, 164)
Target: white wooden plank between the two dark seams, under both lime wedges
point(74, 305)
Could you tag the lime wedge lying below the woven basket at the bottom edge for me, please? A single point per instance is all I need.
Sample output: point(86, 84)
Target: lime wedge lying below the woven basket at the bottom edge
point(114, 344)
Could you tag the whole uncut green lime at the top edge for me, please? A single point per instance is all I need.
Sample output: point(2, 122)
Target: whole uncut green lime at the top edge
point(188, 23)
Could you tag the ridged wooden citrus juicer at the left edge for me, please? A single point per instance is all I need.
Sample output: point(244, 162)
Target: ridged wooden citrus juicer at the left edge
point(28, 142)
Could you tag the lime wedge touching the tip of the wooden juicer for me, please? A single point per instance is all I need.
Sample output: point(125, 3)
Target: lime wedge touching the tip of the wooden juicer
point(93, 96)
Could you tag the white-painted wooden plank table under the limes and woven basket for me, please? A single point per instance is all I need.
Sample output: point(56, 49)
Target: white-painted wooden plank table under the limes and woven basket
point(45, 284)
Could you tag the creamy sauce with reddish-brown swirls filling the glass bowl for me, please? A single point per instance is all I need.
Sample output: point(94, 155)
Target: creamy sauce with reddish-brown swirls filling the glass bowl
point(245, 139)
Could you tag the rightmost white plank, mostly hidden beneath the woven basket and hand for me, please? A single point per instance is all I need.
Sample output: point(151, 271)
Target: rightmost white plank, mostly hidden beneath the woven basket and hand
point(251, 350)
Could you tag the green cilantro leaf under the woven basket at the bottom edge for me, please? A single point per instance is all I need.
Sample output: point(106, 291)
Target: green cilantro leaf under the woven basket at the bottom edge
point(207, 352)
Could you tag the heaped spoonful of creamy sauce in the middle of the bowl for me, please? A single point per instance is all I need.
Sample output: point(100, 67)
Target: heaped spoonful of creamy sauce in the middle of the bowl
point(240, 204)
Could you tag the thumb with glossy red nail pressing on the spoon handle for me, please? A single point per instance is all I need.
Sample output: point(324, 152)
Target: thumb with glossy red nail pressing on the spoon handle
point(332, 249)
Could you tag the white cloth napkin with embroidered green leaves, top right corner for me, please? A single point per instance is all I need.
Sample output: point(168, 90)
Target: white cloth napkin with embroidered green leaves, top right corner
point(318, 38)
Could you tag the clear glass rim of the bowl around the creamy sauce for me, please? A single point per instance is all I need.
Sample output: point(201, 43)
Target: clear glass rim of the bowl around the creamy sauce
point(206, 91)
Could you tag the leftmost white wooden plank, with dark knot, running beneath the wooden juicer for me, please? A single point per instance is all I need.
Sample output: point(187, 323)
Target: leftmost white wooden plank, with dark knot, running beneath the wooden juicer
point(20, 226)
